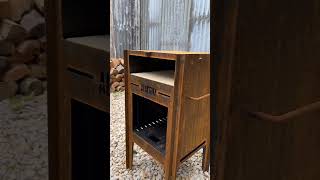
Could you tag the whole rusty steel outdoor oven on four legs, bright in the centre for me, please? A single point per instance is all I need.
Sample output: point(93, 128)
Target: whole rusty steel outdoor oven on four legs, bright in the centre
point(167, 106)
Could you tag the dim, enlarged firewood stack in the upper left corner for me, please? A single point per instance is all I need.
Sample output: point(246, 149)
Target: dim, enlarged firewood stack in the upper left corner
point(22, 49)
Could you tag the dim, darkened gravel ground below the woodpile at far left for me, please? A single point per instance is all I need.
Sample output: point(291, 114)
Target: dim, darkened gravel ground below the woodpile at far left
point(23, 138)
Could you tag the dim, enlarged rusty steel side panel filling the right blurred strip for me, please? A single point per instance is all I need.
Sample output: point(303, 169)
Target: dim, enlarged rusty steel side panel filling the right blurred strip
point(267, 89)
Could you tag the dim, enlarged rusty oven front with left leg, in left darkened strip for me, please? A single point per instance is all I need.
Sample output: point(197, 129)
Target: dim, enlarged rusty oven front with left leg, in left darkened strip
point(78, 45)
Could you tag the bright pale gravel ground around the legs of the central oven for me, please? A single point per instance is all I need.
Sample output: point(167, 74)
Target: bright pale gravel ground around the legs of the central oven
point(144, 166)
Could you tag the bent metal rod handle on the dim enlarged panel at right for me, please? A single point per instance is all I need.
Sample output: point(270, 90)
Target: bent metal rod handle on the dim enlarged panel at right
point(286, 116)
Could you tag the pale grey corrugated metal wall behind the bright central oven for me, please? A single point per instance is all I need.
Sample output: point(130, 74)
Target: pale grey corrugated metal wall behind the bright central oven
point(160, 25)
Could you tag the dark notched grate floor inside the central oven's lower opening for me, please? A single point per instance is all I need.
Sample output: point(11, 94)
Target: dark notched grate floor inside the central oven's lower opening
point(154, 133)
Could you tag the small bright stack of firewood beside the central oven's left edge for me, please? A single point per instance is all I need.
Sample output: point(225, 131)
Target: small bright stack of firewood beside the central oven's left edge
point(117, 75)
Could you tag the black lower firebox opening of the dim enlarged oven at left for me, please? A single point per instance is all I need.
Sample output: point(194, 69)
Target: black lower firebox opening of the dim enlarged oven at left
point(88, 141)
